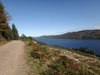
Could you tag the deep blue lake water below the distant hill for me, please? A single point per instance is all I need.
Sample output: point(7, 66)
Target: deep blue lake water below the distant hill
point(73, 43)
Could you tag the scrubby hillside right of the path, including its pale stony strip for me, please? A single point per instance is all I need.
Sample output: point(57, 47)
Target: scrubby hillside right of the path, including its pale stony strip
point(52, 61)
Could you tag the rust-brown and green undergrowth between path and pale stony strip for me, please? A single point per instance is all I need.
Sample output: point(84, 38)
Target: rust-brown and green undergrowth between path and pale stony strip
point(44, 61)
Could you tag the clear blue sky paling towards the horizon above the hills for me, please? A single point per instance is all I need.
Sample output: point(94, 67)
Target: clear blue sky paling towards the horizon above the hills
point(53, 17)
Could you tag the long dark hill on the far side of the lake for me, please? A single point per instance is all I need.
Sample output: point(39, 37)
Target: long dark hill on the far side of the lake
point(85, 34)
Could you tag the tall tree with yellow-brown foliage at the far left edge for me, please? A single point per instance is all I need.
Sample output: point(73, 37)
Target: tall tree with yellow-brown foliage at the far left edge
point(5, 30)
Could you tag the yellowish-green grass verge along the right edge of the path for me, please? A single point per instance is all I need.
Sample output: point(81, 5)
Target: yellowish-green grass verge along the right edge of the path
point(34, 64)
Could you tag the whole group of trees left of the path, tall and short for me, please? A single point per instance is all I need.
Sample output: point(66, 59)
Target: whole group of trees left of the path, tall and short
point(5, 30)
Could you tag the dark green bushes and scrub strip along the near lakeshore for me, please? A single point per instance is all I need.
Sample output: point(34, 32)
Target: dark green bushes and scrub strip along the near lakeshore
point(82, 51)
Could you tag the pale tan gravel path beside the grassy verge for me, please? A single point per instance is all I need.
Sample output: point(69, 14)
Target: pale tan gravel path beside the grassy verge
point(12, 60)
